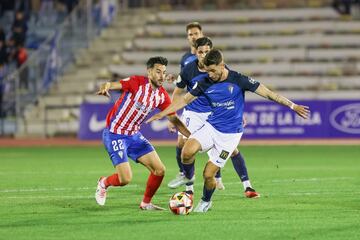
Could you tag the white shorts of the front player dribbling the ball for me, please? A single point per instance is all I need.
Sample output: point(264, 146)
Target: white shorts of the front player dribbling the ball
point(219, 146)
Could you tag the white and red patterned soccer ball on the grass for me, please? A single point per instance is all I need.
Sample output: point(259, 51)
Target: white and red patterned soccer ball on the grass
point(181, 203)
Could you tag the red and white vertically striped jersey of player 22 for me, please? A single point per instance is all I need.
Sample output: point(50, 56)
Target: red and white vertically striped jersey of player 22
point(137, 100)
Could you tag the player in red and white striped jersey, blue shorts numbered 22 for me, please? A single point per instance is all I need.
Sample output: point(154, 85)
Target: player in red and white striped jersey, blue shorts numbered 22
point(121, 137)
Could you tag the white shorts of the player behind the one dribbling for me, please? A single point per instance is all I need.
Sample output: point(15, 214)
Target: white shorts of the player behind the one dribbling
point(193, 120)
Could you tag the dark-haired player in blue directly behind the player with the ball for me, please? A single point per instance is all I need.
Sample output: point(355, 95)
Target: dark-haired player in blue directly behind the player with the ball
point(196, 113)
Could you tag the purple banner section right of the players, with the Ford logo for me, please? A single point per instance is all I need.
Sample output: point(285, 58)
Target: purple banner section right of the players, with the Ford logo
point(328, 119)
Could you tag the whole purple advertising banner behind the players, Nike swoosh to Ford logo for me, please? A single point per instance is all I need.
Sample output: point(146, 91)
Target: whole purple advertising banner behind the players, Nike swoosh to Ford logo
point(265, 120)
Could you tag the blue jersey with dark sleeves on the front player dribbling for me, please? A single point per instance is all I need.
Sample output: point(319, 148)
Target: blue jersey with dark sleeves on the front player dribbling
point(227, 100)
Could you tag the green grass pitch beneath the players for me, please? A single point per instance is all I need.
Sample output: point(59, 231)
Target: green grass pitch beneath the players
point(307, 192)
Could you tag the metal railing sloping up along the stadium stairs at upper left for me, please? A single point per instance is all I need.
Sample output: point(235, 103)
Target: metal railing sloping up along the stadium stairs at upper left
point(44, 66)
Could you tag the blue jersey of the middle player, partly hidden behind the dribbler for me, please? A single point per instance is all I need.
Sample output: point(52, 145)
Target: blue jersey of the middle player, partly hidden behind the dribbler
point(189, 75)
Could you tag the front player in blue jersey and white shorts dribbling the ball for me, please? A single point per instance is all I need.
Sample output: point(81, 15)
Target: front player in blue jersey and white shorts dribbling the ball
point(221, 133)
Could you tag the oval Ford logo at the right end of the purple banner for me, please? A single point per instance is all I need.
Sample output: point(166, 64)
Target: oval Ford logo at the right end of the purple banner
point(346, 118)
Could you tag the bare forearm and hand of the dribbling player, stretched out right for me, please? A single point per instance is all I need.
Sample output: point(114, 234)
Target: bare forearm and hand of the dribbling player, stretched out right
point(302, 111)
